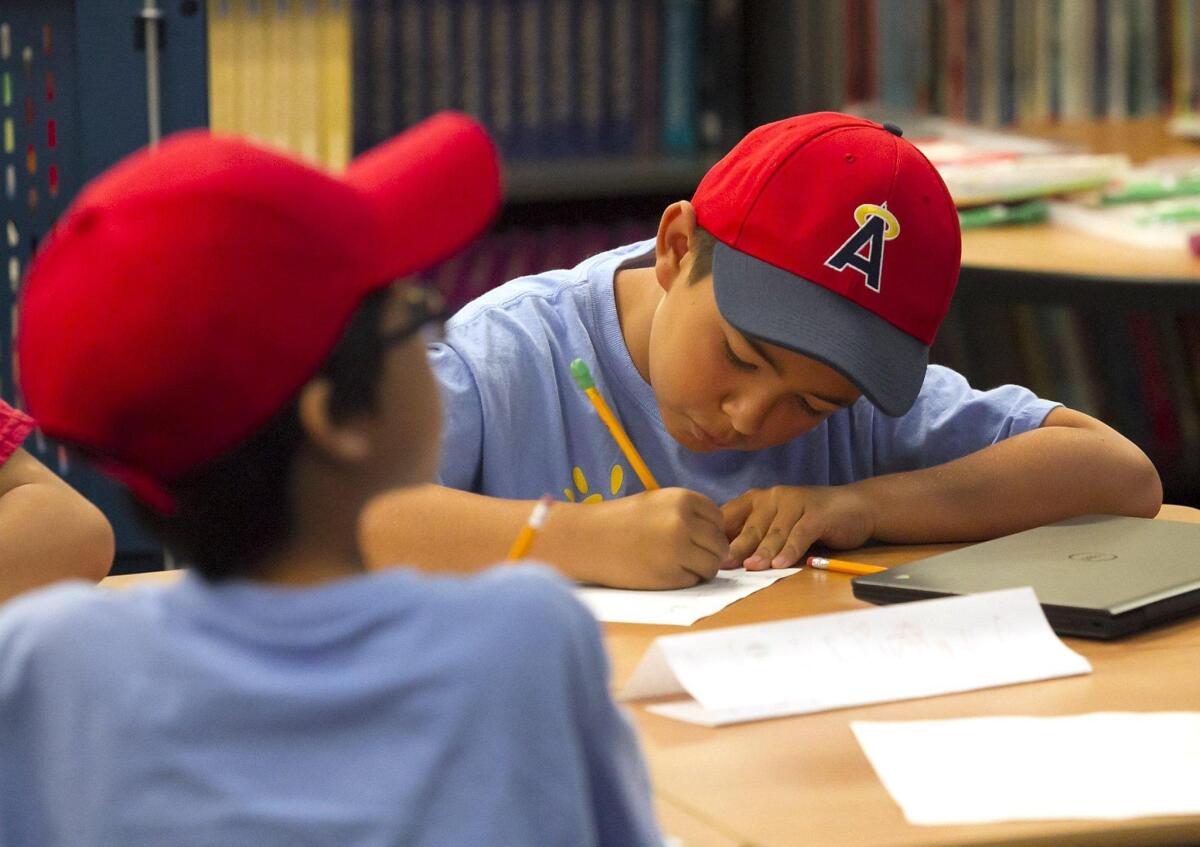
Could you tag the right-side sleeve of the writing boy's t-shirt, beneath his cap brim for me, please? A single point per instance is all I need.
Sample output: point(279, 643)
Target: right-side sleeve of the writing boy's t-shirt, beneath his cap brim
point(951, 421)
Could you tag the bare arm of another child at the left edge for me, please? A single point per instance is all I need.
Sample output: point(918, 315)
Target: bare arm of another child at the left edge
point(49, 532)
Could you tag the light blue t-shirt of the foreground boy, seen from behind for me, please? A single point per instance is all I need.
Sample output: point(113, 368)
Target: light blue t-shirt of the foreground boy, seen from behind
point(381, 711)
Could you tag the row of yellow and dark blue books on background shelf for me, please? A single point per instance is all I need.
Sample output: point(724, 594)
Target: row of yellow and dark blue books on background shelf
point(327, 79)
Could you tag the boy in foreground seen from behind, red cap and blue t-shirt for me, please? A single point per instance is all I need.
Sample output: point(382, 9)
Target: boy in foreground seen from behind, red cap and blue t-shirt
point(257, 377)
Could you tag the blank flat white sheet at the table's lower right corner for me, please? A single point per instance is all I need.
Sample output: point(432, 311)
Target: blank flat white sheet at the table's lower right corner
point(1105, 766)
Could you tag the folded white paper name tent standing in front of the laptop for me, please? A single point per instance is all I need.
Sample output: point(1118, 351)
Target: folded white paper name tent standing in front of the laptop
point(831, 662)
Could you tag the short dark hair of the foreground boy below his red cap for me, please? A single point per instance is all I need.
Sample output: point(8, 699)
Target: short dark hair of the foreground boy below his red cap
point(237, 510)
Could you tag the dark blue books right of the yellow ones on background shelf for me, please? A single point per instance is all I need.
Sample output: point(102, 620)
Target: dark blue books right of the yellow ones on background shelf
point(549, 77)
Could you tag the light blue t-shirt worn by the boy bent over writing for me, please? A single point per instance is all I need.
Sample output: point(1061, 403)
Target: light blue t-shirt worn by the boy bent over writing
point(518, 428)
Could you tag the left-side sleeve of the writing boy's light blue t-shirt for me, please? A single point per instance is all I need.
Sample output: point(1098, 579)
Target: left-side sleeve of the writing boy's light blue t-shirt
point(463, 432)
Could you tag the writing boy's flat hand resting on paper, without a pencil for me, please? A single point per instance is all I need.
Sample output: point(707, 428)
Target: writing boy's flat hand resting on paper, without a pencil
point(775, 527)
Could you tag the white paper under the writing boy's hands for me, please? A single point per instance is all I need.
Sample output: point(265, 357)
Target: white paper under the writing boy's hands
point(681, 606)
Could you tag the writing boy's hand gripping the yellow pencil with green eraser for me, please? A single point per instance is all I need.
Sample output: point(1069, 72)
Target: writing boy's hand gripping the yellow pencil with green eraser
point(673, 538)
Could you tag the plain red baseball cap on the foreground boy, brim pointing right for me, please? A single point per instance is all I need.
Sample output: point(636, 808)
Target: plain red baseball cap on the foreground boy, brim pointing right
point(195, 287)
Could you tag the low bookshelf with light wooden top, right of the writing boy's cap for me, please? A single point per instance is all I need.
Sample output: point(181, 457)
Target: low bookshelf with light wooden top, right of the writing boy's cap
point(1109, 329)
